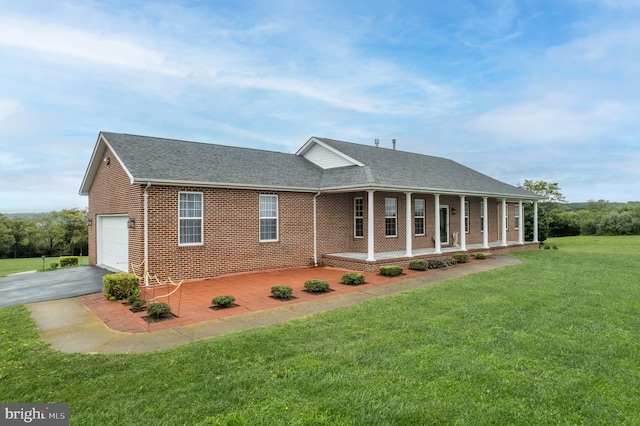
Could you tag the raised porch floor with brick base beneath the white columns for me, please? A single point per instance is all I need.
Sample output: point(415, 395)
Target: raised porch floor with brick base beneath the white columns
point(358, 261)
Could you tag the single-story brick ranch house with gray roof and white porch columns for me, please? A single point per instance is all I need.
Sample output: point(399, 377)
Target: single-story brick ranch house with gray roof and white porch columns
point(193, 210)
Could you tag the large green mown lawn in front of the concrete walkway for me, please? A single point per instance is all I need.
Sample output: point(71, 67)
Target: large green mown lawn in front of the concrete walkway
point(555, 340)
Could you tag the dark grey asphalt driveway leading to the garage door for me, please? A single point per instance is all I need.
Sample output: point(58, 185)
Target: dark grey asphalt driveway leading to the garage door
point(52, 285)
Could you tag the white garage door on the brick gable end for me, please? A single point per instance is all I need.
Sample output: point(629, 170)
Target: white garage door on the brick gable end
point(113, 242)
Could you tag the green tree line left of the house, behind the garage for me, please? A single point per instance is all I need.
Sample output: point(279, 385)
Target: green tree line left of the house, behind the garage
point(56, 233)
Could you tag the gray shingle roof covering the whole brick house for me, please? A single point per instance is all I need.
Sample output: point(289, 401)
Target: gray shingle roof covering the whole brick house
point(158, 160)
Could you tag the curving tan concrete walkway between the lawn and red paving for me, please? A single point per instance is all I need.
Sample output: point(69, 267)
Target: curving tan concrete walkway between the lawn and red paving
point(70, 327)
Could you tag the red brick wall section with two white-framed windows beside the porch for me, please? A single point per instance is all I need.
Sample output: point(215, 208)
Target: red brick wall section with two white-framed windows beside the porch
point(231, 233)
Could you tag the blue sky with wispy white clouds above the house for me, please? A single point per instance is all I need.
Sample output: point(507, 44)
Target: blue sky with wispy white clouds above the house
point(542, 90)
